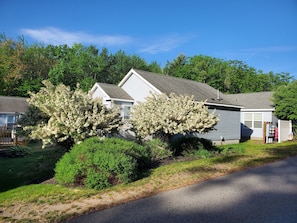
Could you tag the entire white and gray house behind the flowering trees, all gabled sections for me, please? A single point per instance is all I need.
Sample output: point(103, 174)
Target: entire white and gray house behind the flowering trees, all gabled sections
point(241, 116)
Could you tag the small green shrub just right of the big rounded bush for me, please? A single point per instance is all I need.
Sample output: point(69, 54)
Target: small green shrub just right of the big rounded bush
point(159, 149)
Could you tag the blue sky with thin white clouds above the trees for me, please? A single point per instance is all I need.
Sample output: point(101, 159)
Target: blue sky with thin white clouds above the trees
point(261, 33)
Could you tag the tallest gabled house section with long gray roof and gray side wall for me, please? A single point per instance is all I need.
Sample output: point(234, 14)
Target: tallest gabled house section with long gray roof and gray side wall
point(141, 84)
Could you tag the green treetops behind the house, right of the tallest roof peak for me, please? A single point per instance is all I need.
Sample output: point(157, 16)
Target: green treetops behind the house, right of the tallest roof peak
point(231, 77)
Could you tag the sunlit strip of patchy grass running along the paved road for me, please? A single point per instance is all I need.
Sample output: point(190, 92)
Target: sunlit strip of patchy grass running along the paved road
point(178, 174)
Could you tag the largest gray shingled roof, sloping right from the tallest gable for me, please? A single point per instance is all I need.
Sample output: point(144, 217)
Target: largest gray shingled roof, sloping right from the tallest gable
point(169, 84)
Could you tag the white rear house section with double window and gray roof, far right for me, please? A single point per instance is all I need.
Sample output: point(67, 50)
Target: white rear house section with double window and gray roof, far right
point(258, 109)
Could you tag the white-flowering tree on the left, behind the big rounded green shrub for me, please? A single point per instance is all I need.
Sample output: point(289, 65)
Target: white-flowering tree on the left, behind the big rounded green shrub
point(73, 115)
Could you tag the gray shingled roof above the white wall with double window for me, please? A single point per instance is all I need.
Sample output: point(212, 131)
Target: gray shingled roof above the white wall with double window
point(257, 100)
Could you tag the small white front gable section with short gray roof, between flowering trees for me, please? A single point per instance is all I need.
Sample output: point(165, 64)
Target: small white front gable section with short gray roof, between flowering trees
point(113, 95)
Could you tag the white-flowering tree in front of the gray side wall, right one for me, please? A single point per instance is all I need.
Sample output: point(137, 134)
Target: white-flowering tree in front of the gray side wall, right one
point(162, 116)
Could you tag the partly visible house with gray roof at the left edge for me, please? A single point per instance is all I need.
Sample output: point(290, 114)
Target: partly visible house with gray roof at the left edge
point(11, 108)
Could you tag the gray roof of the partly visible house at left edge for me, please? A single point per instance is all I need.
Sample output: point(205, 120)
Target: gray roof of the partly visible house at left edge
point(13, 104)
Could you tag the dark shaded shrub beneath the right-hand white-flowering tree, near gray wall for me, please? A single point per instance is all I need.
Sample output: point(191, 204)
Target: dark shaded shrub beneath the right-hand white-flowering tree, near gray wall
point(187, 145)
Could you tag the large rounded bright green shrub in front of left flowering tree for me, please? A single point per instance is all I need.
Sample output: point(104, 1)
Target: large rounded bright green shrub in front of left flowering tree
point(100, 163)
